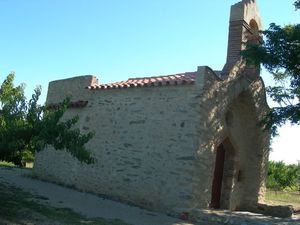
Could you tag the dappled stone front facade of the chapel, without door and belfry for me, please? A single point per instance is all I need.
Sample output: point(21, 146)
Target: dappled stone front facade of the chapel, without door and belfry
point(230, 111)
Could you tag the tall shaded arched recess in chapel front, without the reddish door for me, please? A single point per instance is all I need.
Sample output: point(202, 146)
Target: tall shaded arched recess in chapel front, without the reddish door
point(251, 147)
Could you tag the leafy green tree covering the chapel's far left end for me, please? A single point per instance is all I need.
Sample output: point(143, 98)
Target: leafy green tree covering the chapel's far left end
point(27, 127)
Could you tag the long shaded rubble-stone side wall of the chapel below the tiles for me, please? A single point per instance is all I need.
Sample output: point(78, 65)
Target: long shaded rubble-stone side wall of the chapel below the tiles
point(144, 144)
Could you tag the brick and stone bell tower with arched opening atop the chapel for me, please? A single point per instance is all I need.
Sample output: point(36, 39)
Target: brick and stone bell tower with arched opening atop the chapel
point(244, 22)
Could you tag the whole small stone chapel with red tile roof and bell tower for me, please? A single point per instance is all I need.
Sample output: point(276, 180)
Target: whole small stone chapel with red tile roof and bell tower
point(186, 140)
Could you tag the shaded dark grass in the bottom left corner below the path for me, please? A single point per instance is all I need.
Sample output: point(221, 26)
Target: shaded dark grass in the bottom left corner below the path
point(19, 207)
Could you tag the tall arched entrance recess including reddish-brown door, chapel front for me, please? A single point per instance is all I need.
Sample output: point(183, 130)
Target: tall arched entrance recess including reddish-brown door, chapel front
point(244, 157)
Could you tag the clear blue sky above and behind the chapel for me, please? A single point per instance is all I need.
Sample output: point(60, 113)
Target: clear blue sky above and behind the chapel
point(45, 40)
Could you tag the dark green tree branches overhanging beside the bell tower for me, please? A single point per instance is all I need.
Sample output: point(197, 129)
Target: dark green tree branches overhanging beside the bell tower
point(280, 55)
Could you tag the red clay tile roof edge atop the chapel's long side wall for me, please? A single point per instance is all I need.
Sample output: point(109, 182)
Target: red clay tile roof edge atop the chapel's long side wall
point(169, 80)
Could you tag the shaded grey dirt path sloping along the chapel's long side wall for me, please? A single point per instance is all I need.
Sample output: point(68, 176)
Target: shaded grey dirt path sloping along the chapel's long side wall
point(84, 203)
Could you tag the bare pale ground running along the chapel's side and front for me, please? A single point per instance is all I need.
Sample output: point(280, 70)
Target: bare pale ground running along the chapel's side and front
point(93, 206)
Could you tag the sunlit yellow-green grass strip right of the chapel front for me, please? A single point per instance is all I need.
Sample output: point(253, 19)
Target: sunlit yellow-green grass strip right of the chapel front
point(283, 198)
